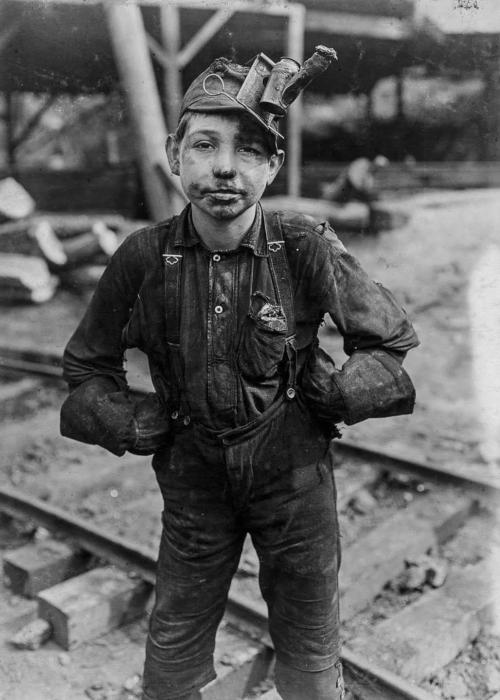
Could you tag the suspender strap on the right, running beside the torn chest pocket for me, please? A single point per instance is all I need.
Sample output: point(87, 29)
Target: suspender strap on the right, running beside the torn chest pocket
point(280, 272)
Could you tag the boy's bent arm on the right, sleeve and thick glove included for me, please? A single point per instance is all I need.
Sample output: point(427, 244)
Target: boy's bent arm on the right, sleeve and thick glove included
point(377, 334)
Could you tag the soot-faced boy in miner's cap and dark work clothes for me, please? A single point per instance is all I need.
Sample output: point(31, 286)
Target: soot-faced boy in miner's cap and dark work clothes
point(226, 301)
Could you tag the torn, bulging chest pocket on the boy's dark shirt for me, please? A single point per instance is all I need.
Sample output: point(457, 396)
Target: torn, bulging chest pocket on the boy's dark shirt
point(263, 337)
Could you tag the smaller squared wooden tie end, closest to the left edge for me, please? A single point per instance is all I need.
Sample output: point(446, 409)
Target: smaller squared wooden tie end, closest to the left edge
point(34, 567)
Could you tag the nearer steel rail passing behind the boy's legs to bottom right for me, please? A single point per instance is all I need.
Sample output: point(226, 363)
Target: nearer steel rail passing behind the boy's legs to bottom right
point(367, 680)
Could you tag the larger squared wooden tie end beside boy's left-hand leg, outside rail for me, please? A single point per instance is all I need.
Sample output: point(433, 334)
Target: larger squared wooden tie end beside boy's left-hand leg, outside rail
point(92, 604)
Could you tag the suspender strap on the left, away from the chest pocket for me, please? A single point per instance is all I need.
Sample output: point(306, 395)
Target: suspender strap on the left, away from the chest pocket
point(173, 299)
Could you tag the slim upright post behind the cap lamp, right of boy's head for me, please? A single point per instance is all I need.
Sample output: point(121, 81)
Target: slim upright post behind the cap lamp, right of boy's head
point(295, 49)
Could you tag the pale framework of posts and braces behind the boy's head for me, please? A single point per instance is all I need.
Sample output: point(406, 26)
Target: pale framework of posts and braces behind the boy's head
point(129, 39)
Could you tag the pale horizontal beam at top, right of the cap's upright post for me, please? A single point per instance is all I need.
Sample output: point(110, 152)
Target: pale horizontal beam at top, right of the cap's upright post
point(348, 24)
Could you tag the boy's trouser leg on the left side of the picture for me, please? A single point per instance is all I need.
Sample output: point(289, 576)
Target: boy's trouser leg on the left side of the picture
point(199, 552)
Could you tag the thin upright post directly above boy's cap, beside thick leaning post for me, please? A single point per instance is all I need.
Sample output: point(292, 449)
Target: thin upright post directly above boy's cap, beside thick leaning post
point(170, 32)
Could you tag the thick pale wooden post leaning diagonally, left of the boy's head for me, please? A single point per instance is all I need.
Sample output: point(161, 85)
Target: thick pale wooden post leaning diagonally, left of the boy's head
point(128, 38)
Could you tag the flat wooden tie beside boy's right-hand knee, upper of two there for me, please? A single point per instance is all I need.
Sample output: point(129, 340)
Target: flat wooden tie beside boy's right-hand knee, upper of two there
point(379, 556)
